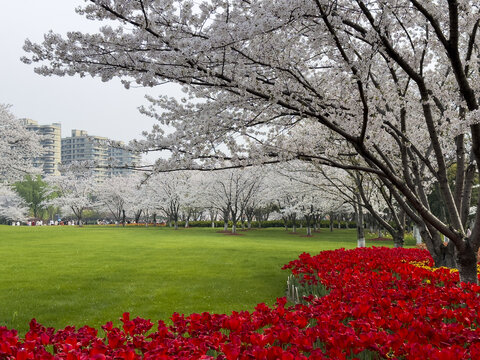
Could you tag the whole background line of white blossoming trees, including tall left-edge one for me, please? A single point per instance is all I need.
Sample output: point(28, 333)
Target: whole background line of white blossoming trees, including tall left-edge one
point(294, 191)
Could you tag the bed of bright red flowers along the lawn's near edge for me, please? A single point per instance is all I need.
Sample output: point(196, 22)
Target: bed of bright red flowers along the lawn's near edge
point(383, 303)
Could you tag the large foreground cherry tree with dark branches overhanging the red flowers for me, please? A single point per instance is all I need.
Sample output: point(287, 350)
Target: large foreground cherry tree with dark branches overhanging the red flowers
point(392, 82)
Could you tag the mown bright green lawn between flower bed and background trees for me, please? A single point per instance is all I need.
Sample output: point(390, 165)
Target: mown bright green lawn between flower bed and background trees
point(75, 276)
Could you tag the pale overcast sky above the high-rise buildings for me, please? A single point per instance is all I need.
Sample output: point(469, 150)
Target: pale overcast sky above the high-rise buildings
point(103, 109)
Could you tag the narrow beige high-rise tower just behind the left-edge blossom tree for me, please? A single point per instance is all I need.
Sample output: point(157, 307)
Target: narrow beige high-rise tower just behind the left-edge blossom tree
point(51, 141)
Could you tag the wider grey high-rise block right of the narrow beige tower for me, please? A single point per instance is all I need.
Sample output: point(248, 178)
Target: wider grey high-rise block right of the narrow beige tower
point(83, 147)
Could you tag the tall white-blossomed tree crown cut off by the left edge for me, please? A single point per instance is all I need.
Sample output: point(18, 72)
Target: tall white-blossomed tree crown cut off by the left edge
point(17, 147)
